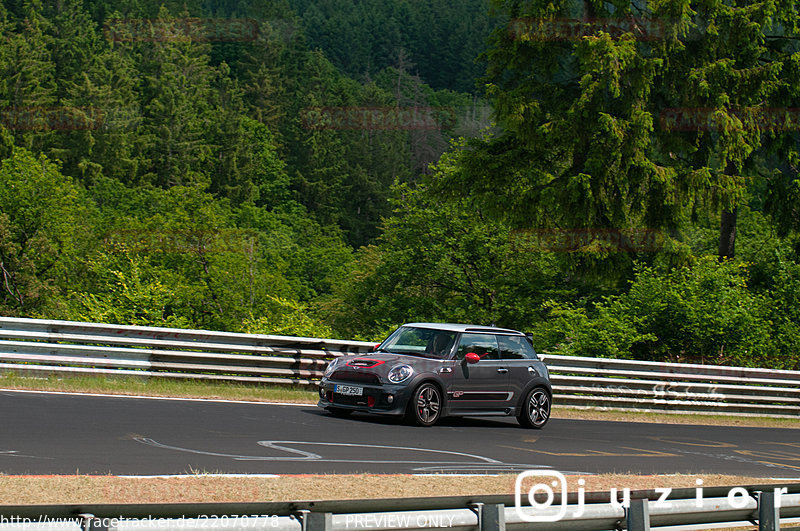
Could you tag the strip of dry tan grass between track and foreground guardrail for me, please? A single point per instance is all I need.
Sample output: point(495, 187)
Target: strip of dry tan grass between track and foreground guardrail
point(34, 490)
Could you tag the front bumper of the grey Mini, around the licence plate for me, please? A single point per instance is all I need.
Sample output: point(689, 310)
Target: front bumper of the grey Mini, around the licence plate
point(382, 399)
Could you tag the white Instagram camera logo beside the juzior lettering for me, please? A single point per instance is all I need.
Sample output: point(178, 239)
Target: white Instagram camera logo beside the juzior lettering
point(537, 511)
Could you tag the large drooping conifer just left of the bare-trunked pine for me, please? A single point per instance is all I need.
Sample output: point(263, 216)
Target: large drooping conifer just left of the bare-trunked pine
point(574, 150)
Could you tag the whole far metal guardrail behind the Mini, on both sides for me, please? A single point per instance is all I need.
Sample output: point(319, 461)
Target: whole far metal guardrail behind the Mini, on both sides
point(34, 346)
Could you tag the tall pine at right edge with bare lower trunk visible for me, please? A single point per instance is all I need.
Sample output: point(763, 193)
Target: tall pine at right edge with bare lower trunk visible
point(728, 68)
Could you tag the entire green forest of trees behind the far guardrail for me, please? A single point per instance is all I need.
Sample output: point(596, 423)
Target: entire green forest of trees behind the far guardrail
point(240, 165)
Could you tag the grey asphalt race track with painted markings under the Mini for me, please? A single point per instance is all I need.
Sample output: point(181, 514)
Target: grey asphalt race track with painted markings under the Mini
point(47, 433)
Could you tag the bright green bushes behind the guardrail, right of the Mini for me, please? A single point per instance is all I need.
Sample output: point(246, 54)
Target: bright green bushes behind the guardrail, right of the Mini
point(705, 313)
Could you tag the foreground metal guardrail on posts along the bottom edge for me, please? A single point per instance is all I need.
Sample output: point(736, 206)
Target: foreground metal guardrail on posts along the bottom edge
point(765, 504)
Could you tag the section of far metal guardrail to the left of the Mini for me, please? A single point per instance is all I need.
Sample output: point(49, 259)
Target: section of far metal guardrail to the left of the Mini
point(42, 347)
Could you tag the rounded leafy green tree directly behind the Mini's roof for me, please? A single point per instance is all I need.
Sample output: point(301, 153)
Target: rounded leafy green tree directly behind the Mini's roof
point(442, 261)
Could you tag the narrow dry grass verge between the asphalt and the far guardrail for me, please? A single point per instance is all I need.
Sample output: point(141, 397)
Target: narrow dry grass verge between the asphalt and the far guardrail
point(166, 387)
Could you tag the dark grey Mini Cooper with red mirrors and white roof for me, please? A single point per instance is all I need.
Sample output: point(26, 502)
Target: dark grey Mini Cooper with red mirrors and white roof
point(426, 371)
